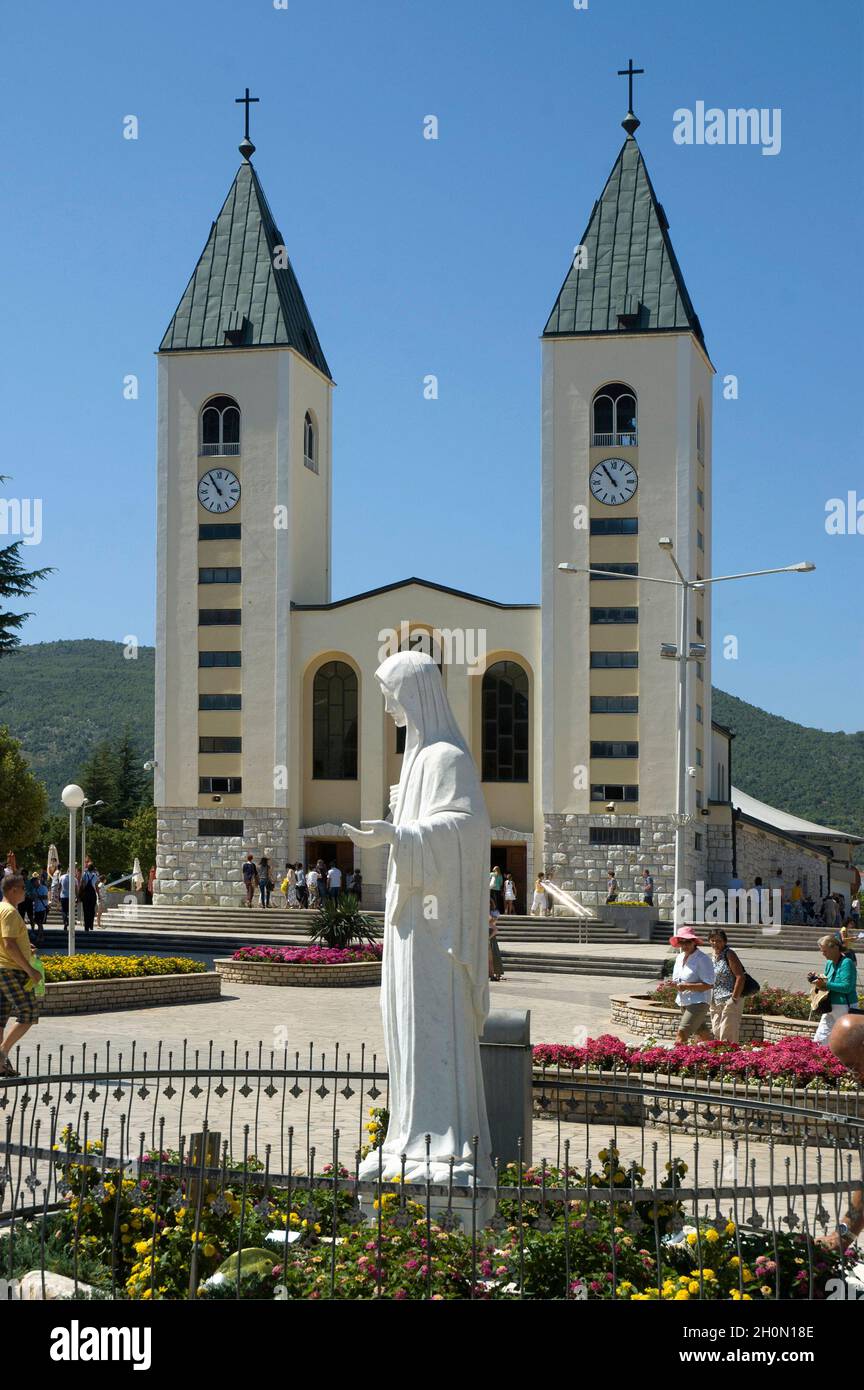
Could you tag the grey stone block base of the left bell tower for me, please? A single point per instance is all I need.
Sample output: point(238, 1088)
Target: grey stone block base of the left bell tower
point(208, 871)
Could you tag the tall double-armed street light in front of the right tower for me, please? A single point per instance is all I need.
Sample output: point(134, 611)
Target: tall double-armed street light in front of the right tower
point(684, 653)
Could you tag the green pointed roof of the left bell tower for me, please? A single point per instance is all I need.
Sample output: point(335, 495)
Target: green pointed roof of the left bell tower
point(237, 297)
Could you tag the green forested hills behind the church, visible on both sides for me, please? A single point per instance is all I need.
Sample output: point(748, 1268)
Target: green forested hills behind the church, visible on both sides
point(63, 698)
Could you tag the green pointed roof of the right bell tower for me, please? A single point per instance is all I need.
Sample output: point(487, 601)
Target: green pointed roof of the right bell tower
point(631, 281)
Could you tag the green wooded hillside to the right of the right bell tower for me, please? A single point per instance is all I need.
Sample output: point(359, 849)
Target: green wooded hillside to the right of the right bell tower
point(804, 771)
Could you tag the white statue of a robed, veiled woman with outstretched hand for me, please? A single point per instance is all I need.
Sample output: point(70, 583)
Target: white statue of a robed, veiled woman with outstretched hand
point(435, 978)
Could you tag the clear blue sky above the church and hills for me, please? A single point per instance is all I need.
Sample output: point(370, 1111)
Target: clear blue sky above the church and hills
point(440, 258)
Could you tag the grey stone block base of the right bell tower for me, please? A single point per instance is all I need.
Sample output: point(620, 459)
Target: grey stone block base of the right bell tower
point(580, 868)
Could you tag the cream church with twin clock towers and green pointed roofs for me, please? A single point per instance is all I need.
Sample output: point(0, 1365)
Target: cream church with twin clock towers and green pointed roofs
point(272, 729)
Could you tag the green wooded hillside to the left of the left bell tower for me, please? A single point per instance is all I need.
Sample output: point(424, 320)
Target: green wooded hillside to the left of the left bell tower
point(63, 698)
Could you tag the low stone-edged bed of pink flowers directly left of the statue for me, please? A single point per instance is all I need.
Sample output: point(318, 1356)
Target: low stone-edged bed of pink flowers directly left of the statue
point(310, 965)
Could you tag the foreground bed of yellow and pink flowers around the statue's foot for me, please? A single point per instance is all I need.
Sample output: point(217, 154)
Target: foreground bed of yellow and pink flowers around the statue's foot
point(135, 1239)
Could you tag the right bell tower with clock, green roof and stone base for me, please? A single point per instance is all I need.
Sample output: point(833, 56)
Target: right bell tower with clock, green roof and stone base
point(627, 459)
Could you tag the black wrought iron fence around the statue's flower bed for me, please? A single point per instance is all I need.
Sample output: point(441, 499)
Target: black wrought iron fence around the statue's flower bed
point(173, 1177)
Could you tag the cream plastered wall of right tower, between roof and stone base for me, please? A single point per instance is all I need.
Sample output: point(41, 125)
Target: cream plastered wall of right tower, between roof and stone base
point(669, 375)
